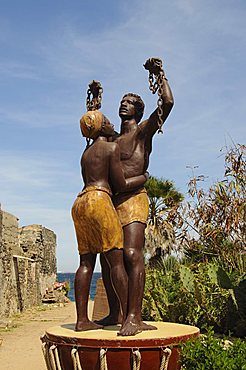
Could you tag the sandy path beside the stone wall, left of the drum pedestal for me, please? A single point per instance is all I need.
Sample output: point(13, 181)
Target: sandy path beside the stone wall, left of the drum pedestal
point(21, 346)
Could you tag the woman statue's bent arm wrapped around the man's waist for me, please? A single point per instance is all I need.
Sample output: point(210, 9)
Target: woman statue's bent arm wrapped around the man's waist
point(118, 182)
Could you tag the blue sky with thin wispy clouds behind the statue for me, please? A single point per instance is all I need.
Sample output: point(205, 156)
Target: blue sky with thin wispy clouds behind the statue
point(51, 50)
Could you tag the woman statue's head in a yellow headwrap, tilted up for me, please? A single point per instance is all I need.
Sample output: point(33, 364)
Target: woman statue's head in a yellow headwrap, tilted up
point(94, 123)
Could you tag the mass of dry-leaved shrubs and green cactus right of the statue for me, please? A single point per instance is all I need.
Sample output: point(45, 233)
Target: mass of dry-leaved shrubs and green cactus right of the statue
point(207, 284)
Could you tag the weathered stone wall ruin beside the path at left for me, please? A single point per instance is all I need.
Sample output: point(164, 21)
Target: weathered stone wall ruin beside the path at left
point(27, 264)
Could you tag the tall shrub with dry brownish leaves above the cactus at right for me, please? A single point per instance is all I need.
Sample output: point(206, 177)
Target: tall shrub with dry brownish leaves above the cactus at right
point(213, 223)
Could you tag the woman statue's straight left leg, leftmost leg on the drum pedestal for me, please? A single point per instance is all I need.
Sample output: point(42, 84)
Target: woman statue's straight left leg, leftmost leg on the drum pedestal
point(82, 284)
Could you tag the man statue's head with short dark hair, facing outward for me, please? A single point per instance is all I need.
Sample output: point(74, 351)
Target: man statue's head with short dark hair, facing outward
point(131, 106)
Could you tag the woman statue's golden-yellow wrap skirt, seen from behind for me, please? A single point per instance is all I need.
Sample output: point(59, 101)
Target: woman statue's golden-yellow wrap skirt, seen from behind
point(96, 223)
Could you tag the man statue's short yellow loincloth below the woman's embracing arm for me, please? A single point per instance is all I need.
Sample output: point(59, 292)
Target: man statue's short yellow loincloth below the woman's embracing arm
point(132, 207)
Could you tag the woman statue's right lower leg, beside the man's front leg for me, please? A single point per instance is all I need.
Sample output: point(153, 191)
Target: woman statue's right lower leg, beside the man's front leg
point(119, 278)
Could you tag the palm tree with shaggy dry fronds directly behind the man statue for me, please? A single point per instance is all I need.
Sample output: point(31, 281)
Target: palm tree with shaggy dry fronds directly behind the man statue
point(164, 198)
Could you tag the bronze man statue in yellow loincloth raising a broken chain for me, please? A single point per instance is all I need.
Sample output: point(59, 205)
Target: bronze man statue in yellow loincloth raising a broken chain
point(135, 142)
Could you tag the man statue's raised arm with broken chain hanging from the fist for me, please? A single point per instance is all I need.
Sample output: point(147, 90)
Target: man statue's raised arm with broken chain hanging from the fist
point(165, 100)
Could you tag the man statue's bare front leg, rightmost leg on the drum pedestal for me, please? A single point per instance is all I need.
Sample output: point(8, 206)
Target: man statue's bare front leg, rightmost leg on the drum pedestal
point(134, 262)
